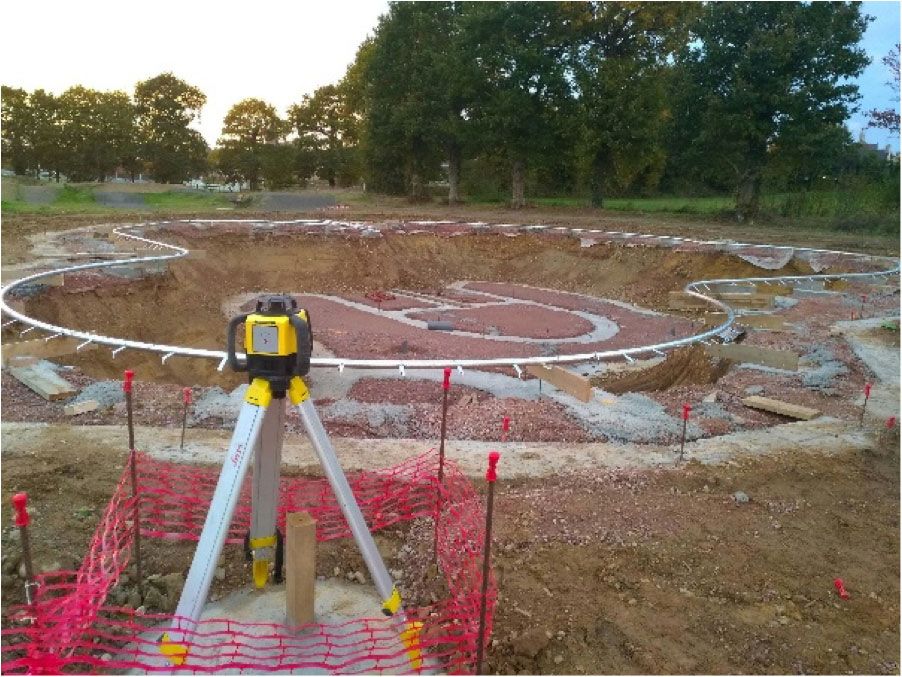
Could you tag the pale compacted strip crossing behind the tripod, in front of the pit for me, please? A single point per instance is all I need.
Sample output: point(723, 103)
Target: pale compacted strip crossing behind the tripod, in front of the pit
point(520, 459)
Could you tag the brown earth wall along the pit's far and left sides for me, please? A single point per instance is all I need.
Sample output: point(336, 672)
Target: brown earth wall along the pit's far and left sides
point(183, 305)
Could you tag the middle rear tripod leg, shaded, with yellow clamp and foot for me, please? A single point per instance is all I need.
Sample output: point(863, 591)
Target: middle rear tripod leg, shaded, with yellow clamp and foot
point(265, 495)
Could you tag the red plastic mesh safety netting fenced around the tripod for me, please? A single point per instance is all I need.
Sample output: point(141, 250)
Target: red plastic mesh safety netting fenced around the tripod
point(69, 628)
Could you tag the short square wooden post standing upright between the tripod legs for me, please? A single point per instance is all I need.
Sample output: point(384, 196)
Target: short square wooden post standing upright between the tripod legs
point(300, 567)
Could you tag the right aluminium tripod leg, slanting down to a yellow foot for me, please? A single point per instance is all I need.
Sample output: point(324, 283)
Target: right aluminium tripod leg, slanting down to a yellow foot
point(300, 396)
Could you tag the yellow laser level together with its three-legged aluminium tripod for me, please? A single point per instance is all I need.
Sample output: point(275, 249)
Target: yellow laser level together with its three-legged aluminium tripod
point(278, 343)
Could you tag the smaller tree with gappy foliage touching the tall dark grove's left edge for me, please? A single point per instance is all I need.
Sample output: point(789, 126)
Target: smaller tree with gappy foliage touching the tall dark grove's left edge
point(328, 128)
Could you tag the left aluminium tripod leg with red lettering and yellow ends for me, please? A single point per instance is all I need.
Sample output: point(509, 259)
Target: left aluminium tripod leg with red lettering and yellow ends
point(219, 517)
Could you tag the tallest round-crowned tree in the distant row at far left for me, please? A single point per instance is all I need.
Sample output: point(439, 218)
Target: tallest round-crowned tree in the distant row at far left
point(165, 107)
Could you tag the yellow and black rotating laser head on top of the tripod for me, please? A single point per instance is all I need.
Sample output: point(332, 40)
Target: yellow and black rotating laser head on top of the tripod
point(278, 341)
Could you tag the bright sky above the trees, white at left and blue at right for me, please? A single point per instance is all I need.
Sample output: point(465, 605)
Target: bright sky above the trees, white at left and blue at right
point(275, 50)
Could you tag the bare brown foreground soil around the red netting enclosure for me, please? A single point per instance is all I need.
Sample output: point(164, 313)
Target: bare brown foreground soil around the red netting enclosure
point(643, 571)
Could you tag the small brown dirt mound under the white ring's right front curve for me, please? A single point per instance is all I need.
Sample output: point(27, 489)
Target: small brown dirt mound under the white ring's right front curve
point(686, 366)
